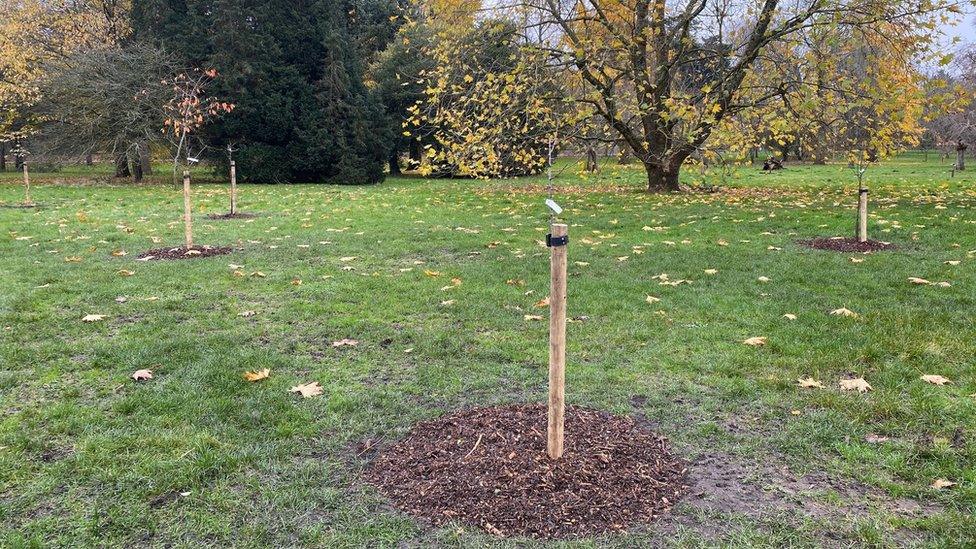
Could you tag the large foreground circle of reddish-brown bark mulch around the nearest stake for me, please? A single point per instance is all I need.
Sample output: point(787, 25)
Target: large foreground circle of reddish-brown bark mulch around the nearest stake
point(489, 467)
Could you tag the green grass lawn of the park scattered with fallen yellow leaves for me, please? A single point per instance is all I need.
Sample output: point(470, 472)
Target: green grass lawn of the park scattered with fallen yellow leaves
point(197, 456)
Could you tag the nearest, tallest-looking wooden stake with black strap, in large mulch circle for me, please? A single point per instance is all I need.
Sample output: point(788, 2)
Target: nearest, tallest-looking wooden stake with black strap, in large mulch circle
point(557, 344)
